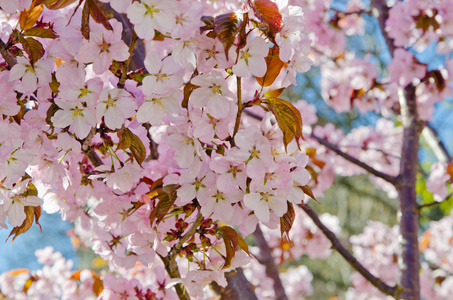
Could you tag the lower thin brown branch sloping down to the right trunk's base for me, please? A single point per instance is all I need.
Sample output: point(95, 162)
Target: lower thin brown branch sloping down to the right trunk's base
point(336, 244)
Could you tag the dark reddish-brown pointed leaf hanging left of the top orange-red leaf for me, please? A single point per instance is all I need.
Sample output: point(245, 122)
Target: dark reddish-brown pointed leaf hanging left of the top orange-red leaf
point(226, 28)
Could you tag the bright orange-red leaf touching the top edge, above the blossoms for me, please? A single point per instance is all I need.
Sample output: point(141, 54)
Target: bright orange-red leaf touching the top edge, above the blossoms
point(267, 12)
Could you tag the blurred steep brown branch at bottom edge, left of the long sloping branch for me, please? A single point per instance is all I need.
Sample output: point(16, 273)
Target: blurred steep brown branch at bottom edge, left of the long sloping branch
point(267, 260)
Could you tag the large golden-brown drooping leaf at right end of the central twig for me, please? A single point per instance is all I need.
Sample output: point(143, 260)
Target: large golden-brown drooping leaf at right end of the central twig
point(288, 118)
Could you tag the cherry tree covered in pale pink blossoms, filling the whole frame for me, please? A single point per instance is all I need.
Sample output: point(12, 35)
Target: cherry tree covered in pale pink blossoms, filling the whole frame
point(163, 131)
